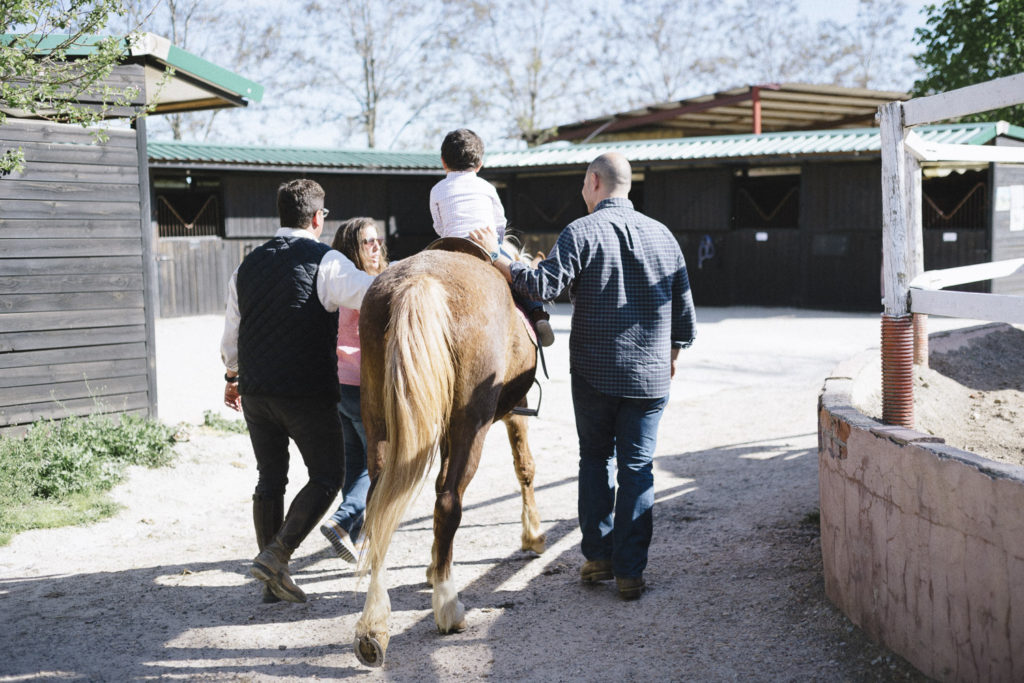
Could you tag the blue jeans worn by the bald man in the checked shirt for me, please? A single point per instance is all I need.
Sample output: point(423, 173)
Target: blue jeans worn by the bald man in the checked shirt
point(615, 432)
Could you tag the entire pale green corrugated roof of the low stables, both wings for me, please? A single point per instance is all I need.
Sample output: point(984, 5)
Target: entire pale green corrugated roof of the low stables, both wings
point(769, 146)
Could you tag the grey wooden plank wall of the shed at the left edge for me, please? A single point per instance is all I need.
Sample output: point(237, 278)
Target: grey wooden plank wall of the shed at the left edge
point(73, 320)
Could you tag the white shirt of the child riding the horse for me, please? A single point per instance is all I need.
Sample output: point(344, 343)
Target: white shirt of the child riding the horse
point(463, 202)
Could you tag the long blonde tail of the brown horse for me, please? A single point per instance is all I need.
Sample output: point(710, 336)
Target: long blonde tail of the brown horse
point(419, 376)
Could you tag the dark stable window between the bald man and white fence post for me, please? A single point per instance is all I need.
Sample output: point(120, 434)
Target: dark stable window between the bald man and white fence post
point(766, 199)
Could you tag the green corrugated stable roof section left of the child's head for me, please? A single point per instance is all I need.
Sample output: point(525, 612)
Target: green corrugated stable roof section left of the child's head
point(202, 154)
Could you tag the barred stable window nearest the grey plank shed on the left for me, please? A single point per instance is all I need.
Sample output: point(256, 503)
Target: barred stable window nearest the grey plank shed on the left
point(189, 207)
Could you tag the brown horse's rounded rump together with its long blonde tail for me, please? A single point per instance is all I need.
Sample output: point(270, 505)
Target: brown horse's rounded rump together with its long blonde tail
point(437, 332)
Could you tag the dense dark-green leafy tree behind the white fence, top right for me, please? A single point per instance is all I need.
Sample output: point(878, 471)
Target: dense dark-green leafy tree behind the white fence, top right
point(972, 41)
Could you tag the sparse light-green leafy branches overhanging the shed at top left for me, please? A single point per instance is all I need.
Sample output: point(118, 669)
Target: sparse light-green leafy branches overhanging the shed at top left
point(52, 62)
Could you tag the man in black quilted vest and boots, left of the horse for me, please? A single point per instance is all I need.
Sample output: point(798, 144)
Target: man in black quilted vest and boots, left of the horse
point(279, 349)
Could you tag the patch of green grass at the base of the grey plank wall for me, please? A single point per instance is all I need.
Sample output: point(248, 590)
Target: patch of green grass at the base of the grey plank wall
point(60, 473)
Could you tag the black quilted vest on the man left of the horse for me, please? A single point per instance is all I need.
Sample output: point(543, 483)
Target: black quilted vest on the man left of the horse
point(288, 343)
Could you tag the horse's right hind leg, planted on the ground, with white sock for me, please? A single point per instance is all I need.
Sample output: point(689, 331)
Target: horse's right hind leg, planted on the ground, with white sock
point(460, 457)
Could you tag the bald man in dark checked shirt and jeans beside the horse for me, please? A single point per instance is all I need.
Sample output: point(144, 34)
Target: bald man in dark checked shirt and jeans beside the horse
point(632, 313)
